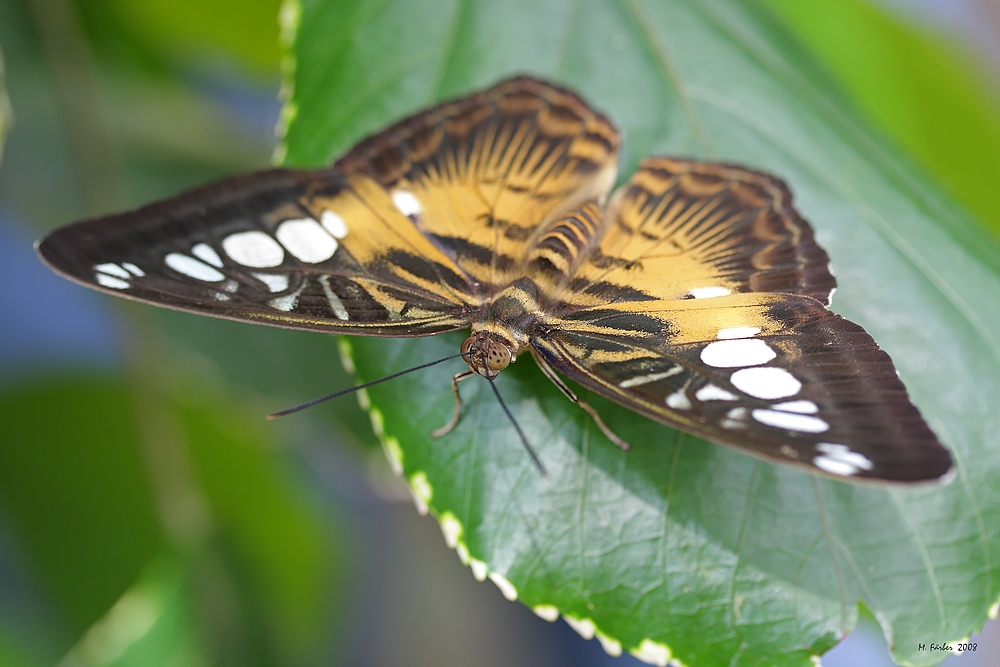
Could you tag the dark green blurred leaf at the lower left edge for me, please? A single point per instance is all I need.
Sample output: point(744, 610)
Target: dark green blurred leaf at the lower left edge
point(103, 523)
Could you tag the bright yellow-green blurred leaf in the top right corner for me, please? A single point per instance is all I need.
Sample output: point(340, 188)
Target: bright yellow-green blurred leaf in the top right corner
point(933, 95)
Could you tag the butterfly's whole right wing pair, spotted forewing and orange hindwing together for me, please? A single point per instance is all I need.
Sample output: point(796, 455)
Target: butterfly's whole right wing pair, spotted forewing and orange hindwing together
point(703, 305)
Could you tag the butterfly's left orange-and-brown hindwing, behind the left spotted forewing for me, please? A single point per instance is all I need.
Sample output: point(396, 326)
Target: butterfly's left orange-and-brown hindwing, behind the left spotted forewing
point(481, 174)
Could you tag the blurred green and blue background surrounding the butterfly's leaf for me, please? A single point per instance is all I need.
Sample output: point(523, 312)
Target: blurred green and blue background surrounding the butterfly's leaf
point(148, 515)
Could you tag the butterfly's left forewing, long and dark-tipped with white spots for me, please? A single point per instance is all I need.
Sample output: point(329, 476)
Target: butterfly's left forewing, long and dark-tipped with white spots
point(312, 250)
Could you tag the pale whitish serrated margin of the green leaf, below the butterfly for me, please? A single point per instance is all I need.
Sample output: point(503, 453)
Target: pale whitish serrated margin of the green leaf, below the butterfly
point(649, 651)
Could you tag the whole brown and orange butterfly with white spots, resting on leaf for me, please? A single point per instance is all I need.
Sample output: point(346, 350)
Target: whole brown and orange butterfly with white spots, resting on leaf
point(695, 294)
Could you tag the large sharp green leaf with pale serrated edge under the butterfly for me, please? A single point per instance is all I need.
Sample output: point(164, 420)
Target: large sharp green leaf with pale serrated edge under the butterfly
point(680, 547)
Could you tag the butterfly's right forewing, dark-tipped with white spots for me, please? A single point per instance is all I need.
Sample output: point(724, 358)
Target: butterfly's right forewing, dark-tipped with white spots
point(779, 376)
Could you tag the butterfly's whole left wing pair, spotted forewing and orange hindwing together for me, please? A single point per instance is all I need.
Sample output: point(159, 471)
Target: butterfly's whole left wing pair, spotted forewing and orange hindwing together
point(405, 235)
